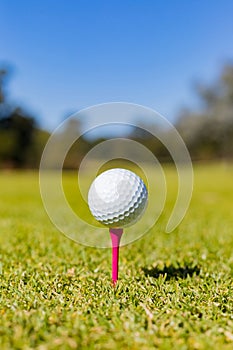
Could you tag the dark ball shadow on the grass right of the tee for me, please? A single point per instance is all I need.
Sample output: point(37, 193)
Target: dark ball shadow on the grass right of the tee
point(172, 271)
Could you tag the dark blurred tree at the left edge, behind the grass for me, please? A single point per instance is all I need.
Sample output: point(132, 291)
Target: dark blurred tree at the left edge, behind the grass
point(21, 140)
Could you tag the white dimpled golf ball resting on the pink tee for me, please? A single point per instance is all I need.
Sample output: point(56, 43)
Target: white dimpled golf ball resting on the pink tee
point(117, 198)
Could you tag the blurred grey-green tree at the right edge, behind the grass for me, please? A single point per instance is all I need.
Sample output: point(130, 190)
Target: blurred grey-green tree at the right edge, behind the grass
point(209, 133)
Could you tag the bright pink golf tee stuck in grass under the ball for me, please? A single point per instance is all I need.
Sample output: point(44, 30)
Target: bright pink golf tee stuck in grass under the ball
point(115, 234)
